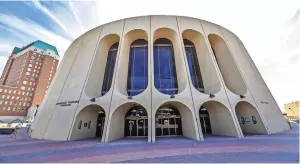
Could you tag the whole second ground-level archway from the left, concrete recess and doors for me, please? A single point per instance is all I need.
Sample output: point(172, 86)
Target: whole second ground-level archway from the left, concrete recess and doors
point(128, 120)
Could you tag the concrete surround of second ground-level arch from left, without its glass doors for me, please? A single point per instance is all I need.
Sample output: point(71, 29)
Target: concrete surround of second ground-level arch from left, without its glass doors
point(116, 122)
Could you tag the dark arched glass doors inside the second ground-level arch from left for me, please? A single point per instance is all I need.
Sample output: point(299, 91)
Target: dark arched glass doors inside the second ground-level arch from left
point(136, 122)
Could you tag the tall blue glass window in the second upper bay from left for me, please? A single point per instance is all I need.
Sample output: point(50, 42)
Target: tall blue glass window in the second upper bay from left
point(137, 80)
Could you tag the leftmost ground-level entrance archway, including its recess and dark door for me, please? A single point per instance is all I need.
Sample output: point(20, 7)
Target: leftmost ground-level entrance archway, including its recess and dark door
point(89, 123)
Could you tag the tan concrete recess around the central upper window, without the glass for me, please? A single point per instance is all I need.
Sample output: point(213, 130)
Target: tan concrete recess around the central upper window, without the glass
point(172, 35)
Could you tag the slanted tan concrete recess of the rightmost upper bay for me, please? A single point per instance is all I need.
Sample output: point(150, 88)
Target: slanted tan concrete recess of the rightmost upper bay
point(228, 68)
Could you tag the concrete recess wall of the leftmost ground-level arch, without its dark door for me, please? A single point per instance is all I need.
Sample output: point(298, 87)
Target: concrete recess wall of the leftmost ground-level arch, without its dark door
point(86, 116)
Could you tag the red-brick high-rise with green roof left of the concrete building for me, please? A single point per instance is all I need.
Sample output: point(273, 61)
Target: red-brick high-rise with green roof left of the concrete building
point(26, 78)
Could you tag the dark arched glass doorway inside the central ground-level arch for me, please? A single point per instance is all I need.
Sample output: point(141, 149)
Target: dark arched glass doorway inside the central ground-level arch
point(168, 121)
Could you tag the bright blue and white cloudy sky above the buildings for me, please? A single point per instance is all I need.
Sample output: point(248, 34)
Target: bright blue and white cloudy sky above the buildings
point(269, 29)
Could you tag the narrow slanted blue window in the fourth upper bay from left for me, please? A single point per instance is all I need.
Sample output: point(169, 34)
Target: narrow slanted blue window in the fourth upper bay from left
point(193, 63)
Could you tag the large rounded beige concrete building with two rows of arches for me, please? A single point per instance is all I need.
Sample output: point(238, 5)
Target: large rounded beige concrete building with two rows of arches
point(155, 76)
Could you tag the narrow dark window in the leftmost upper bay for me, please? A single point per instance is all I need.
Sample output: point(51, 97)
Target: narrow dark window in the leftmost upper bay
point(109, 68)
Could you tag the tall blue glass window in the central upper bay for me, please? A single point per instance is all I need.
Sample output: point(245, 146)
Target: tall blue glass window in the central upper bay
point(165, 79)
